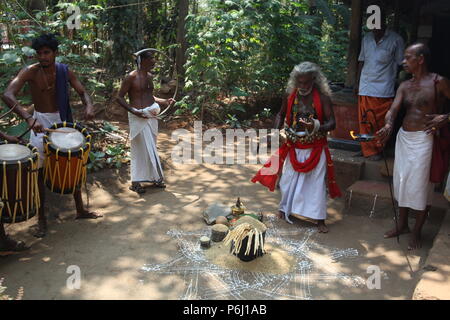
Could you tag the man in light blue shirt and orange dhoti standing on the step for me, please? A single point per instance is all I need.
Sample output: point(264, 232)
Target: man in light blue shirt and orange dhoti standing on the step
point(381, 55)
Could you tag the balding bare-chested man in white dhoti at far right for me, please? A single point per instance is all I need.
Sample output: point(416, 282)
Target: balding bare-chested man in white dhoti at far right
point(421, 97)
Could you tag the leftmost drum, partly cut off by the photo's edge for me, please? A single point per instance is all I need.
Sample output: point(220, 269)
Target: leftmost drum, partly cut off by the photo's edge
point(19, 182)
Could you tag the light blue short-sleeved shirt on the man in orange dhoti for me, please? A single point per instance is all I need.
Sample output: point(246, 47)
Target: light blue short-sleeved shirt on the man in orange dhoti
point(381, 61)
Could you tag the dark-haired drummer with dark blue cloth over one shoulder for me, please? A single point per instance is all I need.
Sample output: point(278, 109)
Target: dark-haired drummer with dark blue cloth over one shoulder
point(48, 81)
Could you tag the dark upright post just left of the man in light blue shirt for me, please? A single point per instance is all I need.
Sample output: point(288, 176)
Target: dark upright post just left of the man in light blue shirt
point(355, 43)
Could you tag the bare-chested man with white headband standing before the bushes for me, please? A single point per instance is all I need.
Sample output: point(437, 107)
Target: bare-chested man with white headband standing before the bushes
point(143, 109)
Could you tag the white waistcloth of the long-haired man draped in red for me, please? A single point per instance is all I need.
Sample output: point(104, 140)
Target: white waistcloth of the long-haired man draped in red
point(304, 193)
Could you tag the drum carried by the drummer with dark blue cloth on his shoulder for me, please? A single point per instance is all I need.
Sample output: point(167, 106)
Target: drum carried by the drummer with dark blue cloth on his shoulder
point(67, 147)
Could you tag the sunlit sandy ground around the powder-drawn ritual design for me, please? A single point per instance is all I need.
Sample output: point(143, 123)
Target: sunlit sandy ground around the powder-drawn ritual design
point(111, 251)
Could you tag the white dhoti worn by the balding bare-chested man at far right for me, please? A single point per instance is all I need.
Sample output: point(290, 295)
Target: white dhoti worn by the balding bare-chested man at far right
point(412, 186)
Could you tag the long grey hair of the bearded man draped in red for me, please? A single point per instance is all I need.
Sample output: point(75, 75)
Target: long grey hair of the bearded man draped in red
point(320, 81)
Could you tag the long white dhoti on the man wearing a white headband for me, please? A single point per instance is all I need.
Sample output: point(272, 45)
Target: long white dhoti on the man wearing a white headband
point(145, 162)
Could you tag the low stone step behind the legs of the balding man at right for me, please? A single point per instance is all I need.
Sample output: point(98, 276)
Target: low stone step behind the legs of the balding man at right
point(373, 198)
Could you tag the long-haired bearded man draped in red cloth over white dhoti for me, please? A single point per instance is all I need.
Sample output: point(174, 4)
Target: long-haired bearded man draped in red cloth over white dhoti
point(304, 158)
